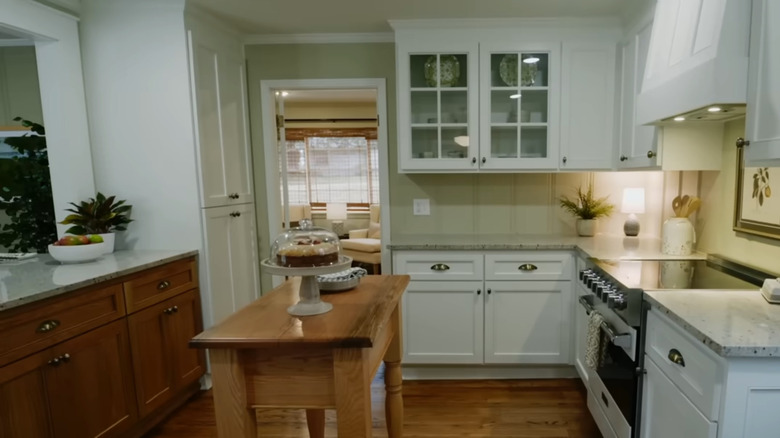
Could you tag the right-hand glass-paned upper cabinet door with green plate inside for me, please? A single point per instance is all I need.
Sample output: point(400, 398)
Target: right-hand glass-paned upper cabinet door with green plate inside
point(518, 107)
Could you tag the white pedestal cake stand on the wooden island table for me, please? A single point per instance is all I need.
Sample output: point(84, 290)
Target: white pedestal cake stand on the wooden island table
point(309, 303)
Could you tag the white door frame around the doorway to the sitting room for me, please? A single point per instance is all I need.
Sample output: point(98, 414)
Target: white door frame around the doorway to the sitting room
point(267, 88)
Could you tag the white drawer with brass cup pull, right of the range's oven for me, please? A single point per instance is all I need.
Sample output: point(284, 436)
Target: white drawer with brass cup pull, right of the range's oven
point(702, 373)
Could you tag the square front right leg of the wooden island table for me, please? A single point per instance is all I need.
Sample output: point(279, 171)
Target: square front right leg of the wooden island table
point(352, 383)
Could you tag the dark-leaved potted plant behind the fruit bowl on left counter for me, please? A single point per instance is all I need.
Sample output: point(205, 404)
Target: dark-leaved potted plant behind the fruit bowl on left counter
point(99, 215)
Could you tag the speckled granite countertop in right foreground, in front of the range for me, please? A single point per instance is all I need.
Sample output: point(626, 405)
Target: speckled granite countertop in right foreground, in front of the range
point(732, 323)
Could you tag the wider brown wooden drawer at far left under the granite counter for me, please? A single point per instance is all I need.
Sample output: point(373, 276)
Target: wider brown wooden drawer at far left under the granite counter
point(37, 326)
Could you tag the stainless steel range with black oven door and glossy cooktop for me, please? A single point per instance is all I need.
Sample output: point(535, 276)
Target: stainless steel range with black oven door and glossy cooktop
point(614, 288)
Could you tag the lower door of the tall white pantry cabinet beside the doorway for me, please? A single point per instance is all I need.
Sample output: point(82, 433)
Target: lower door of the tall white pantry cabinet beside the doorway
point(231, 257)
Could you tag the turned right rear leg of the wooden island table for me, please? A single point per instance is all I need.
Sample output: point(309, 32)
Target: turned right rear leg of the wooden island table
point(394, 403)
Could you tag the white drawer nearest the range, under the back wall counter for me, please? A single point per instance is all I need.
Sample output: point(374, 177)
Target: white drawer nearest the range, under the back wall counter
point(528, 265)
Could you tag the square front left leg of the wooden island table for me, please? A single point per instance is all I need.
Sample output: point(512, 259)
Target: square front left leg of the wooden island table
point(235, 419)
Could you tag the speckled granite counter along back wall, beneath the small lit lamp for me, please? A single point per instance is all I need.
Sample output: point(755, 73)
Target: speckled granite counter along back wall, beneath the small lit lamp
point(602, 246)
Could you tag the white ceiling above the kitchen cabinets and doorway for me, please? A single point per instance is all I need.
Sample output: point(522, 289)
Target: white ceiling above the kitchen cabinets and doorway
point(257, 17)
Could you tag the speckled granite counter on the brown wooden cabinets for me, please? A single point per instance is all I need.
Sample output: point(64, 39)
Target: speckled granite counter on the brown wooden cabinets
point(42, 277)
